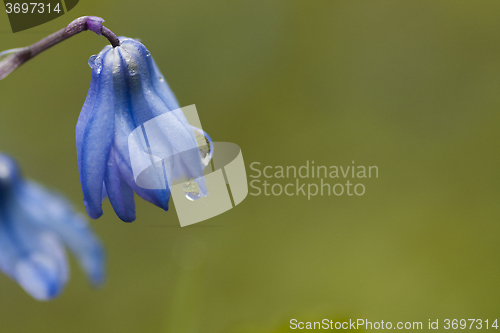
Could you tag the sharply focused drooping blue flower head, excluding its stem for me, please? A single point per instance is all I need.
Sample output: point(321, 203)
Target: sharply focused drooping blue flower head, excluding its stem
point(127, 91)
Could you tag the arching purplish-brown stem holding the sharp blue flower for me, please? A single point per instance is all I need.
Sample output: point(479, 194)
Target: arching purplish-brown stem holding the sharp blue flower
point(17, 57)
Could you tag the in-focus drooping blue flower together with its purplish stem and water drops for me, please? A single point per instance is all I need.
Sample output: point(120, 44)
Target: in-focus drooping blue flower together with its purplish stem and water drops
point(127, 92)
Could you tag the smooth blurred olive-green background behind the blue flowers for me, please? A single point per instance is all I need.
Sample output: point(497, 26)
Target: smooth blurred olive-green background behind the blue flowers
point(409, 86)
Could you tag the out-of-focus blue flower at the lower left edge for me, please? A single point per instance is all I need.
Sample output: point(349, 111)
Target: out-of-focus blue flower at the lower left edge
point(35, 224)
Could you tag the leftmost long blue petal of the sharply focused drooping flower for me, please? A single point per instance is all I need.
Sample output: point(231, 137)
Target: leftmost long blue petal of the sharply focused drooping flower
point(97, 140)
